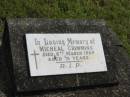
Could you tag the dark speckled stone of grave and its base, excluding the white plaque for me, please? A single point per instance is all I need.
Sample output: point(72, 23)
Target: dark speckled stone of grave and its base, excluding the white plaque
point(76, 85)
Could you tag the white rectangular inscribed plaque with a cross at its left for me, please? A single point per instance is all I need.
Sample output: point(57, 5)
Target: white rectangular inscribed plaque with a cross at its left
point(56, 54)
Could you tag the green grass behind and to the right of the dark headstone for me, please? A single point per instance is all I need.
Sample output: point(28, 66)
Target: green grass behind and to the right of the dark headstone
point(115, 12)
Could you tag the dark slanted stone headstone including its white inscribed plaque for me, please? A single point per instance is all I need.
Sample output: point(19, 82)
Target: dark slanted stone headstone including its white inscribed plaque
point(44, 55)
